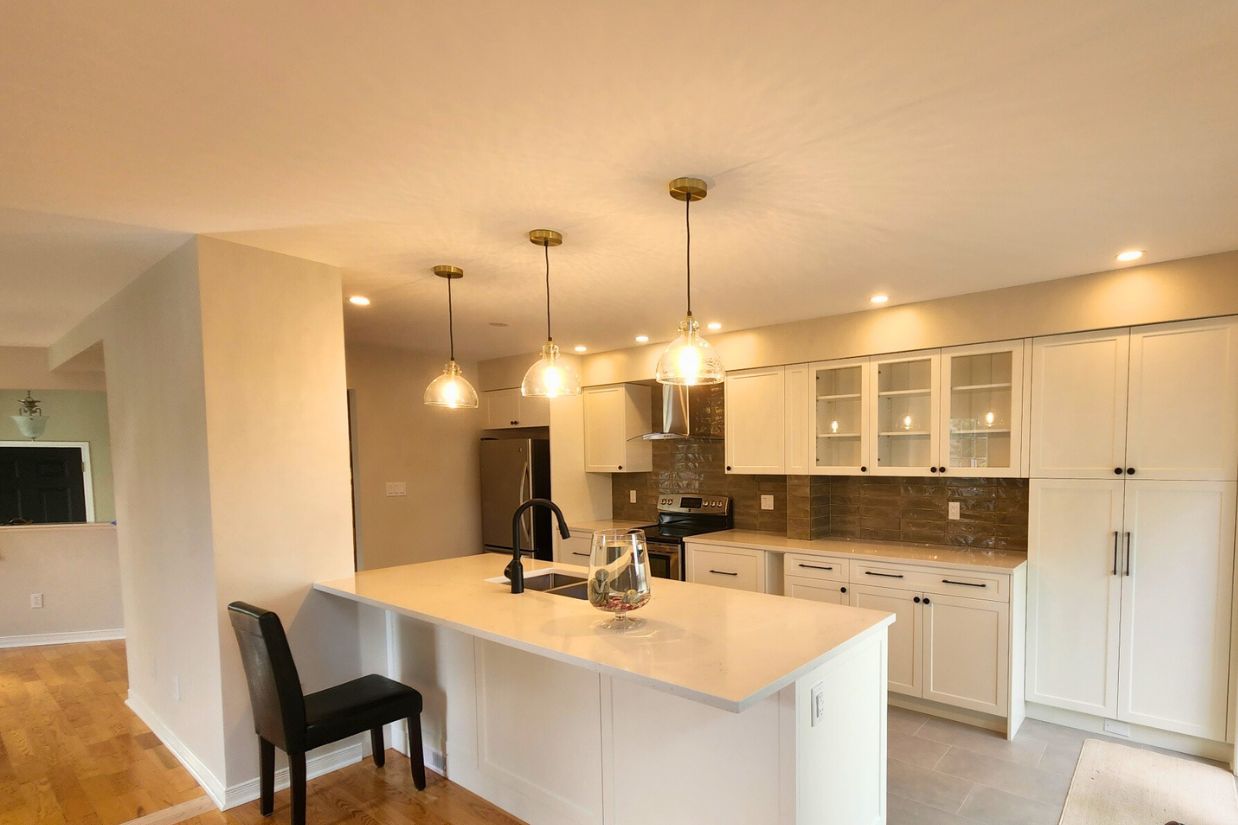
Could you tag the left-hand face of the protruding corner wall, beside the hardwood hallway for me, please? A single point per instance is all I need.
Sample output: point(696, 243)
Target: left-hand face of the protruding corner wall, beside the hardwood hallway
point(157, 412)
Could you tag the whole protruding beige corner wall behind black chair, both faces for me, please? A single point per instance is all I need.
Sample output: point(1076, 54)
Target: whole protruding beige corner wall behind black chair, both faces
point(227, 407)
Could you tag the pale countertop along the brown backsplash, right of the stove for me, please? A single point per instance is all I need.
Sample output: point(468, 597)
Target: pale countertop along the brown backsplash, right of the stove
point(922, 554)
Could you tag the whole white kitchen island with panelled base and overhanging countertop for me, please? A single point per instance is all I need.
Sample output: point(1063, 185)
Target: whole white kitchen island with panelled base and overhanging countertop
point(704, 714)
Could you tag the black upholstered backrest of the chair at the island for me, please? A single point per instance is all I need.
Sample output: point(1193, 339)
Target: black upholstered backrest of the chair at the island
point(274, 684)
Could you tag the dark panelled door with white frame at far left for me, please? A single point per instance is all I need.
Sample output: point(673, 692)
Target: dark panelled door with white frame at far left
point(41, 485)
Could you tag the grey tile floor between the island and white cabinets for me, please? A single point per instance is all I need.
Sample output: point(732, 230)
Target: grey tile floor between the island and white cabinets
point(946, 774)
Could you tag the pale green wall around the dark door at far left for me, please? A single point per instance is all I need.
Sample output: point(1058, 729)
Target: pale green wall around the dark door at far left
point(74, 416)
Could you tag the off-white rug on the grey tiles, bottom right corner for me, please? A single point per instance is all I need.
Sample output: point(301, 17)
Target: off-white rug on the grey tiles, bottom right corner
point(1116, 785)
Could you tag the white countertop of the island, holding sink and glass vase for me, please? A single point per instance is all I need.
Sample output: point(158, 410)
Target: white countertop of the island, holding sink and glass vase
point(721, 647)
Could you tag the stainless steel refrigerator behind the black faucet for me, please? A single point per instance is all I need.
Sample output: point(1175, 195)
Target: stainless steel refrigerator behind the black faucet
point(516, 470)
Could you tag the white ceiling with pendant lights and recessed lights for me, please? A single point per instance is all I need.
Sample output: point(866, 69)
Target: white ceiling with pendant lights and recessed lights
point(927, 149)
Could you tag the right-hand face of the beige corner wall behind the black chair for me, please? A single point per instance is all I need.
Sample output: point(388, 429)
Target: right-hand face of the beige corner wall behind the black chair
point(277, 411)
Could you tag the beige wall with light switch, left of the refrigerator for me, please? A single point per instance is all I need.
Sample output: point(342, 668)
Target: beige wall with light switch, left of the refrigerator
point(433, 450)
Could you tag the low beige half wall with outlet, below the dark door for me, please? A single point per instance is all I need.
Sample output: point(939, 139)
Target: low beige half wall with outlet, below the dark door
point(77, 569)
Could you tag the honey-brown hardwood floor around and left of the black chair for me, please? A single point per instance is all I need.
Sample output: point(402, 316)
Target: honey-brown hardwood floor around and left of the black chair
point(72, 754)
